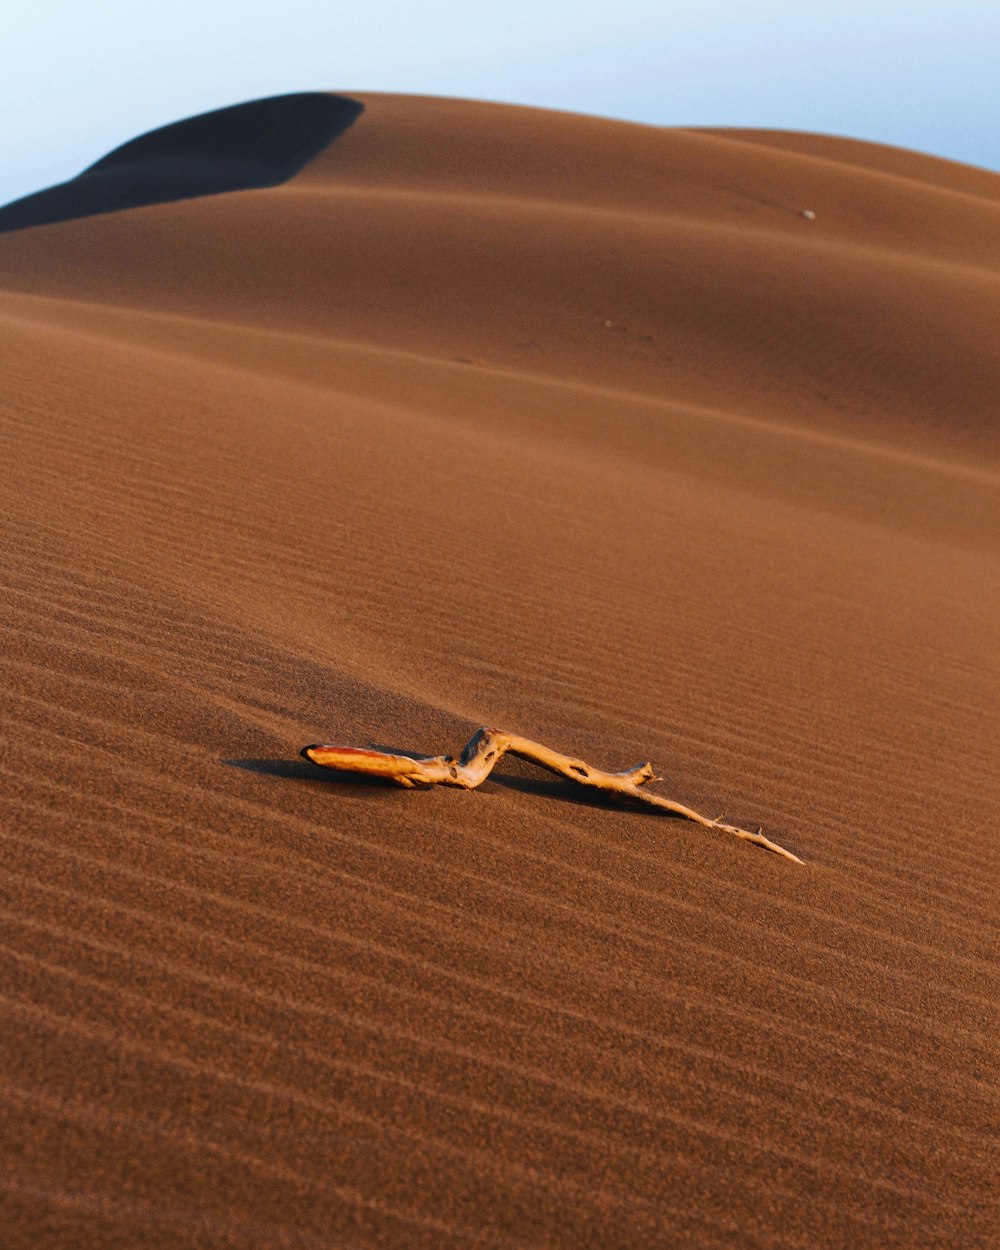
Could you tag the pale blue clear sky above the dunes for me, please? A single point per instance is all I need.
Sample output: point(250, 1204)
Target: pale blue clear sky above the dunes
point(81, 78)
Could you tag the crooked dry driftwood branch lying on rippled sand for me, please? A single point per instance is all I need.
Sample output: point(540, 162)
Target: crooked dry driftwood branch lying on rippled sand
point(482, 754)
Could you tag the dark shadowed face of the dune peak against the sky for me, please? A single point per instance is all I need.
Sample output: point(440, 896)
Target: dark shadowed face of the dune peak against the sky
point(251, 146)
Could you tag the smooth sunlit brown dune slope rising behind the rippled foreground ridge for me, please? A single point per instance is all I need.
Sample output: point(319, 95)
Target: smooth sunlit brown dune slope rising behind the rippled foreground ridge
point(667, 263)
